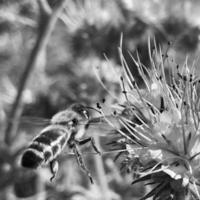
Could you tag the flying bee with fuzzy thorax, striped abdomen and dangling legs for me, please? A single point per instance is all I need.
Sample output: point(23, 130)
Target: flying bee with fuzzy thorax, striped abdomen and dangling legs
point(64, 129)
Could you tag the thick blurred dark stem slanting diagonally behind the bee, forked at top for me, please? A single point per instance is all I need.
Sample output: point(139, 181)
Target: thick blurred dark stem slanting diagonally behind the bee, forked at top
point(38, 49)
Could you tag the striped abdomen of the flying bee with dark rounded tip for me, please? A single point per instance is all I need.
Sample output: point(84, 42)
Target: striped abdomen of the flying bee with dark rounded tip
point(45, 147)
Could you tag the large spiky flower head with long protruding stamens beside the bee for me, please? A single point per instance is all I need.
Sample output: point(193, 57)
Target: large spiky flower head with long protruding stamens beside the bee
point(160, 125)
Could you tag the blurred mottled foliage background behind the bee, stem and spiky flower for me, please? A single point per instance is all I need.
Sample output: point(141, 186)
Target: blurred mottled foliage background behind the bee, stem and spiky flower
point(86, 35)
